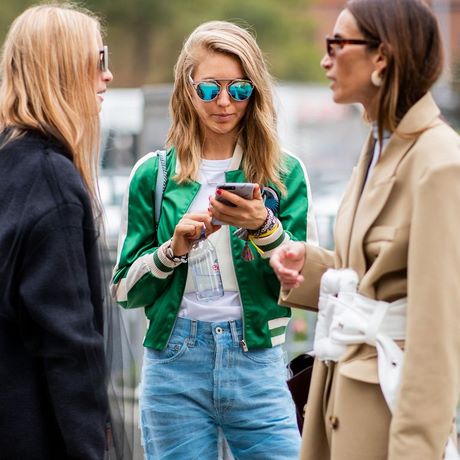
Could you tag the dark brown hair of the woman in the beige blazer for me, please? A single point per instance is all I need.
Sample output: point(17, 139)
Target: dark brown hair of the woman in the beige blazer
point(409, 34)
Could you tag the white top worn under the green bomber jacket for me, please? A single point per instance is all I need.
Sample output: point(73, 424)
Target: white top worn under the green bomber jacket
point(228, 307)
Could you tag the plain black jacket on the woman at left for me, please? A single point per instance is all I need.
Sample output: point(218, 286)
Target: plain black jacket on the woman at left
point(53, 403)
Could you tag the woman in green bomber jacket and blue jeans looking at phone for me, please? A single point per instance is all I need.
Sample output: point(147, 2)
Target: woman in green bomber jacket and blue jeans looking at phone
point(217, 364)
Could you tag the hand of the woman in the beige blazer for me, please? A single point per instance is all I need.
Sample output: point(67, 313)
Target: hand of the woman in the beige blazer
point(287, 260)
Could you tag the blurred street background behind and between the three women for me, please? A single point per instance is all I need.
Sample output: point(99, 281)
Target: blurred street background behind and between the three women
point(145, 38)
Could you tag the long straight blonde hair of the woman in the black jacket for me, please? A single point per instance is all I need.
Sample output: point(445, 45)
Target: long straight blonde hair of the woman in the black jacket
point(48, 68)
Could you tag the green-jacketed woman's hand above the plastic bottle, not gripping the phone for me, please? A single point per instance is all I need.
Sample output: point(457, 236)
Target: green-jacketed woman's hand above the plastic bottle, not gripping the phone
point(189, 229)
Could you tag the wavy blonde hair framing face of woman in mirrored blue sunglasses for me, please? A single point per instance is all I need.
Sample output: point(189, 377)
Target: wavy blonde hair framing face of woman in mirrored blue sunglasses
point(262, 158)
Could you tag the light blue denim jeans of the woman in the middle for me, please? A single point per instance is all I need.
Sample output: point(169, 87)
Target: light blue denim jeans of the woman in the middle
point(202, 381)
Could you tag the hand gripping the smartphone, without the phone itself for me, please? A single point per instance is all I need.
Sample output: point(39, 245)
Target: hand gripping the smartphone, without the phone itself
point(249, 214)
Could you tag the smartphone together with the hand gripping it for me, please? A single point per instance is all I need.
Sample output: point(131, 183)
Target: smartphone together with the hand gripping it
point(238, 204)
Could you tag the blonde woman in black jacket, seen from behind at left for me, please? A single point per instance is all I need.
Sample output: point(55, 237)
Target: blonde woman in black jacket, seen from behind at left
point(53, 403)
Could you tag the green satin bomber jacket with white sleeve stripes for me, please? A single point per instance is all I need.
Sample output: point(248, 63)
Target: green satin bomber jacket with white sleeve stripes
point(141, 278)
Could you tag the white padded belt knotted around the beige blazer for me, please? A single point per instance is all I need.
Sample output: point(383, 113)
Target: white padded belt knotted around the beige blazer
point(346, 317)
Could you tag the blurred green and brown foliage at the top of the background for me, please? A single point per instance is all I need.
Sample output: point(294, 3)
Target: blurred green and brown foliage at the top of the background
point(145, 36)
